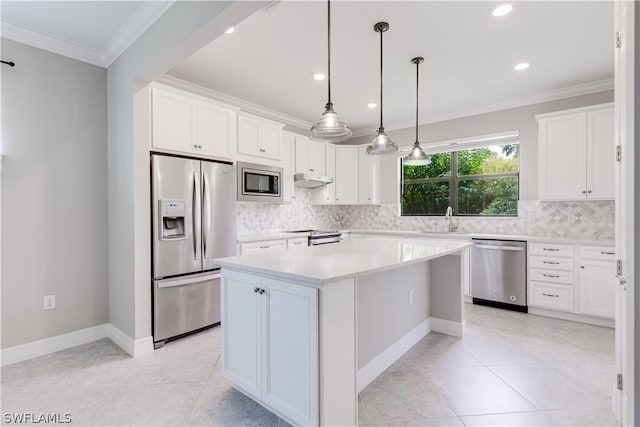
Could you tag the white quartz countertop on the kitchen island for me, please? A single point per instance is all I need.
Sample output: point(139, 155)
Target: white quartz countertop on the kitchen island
point(317, 265)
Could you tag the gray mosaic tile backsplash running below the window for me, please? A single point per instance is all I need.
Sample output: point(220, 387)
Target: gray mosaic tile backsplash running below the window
point(592, 219)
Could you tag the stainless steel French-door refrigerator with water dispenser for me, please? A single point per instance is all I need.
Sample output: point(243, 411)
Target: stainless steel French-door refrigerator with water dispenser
point(194, 222)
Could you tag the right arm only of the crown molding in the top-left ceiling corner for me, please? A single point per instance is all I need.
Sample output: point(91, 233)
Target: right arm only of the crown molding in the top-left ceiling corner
point(131, 30)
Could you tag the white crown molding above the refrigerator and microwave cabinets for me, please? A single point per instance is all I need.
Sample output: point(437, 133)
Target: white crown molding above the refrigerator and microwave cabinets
point(243, 105)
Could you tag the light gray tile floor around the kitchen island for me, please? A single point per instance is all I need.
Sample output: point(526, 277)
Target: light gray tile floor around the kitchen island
point(509, 370)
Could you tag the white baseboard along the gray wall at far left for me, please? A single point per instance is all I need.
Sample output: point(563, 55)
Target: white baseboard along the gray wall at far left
point(41, 347)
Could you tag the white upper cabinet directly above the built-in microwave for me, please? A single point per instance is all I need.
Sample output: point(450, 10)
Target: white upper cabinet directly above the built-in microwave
point(259, 137)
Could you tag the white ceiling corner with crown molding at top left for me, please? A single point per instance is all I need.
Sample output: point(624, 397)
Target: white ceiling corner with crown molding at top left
point(92, 31)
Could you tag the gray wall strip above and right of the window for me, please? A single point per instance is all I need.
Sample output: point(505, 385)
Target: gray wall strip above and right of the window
point(521, 118)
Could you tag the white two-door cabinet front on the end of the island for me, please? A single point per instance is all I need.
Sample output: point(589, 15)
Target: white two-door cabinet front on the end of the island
point(274, 353)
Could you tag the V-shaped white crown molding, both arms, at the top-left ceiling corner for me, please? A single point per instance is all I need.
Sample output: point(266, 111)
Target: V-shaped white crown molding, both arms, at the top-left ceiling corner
point(128, 33)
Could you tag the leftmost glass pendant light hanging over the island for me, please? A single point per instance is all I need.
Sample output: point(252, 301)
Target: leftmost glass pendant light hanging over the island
point(330, 127)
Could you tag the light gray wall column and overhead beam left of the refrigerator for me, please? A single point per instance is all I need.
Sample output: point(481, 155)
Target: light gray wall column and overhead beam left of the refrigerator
point(182, 30)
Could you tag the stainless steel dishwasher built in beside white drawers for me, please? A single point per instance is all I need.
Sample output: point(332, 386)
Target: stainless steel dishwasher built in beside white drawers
point(499, 273)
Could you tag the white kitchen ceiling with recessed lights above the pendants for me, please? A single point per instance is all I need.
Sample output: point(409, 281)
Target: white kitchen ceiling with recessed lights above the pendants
point(469, 56)
